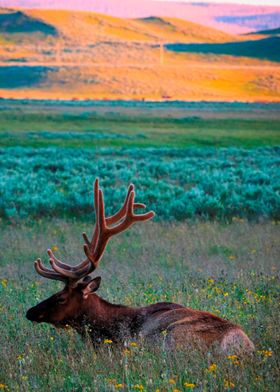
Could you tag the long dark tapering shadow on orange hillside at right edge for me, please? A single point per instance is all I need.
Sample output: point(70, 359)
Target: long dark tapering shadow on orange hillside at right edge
point(268, 48)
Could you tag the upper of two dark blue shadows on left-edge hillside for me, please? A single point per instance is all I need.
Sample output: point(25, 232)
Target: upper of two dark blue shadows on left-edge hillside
point(18, 22)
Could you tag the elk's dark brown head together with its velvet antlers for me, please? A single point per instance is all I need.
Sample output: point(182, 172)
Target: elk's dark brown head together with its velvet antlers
point(66, 306)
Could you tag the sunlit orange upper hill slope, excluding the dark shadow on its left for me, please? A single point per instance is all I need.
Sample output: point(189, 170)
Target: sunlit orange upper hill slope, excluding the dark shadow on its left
point(93, 27)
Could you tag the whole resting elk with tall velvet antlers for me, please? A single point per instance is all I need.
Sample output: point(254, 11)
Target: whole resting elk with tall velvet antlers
point(78, 305)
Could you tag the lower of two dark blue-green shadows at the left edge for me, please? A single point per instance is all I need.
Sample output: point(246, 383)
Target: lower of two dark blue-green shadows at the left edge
point(17, 76)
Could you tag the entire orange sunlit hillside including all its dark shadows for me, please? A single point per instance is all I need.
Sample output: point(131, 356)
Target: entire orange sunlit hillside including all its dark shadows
point(70, 54)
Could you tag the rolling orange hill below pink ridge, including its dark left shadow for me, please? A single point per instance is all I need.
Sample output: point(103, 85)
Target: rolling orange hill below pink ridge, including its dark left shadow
point(89, 27)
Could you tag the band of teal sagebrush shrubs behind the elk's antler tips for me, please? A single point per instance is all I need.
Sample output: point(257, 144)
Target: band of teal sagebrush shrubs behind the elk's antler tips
point(178, 184)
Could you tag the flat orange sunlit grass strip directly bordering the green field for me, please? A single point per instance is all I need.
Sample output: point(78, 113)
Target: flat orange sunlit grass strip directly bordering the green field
point(191, 82)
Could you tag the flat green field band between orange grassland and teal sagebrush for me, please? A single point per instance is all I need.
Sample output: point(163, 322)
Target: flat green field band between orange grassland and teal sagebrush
point(179, 125)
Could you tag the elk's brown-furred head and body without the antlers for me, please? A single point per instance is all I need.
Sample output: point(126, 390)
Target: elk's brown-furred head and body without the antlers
point(103, 320)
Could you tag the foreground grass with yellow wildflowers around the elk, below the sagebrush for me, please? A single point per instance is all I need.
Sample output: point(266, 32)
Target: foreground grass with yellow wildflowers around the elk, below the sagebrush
point(228, 269)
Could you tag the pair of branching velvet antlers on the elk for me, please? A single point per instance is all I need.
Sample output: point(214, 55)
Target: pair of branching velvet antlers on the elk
point(104, 229)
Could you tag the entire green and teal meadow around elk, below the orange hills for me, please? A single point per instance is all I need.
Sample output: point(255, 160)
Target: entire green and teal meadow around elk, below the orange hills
point(211, 174)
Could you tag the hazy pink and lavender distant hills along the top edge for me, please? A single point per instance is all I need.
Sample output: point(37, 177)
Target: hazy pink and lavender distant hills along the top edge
point(231, 18)
